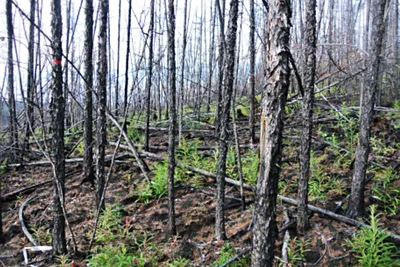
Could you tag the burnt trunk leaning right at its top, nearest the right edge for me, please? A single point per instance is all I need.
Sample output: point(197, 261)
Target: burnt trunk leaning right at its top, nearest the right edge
point(367, 103)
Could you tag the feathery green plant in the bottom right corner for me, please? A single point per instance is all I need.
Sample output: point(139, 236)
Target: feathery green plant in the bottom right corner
point(370, 247)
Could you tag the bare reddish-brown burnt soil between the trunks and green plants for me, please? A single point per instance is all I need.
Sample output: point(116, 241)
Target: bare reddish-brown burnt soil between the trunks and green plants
point(194, 212)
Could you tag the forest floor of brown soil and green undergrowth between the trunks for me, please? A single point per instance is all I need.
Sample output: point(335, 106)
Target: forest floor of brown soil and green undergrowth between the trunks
point(137, 223)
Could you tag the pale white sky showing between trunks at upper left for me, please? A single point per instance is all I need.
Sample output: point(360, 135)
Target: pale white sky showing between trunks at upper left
point(140, 18)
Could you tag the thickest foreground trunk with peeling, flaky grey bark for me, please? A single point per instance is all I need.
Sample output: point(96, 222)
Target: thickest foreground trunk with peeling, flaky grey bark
point(273, 107)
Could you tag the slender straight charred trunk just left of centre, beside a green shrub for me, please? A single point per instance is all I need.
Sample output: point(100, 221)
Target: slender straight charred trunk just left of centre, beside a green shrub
point(172, 117)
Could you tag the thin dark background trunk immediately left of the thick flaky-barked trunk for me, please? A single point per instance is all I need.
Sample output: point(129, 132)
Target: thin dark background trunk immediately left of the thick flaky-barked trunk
point(252, 133)
